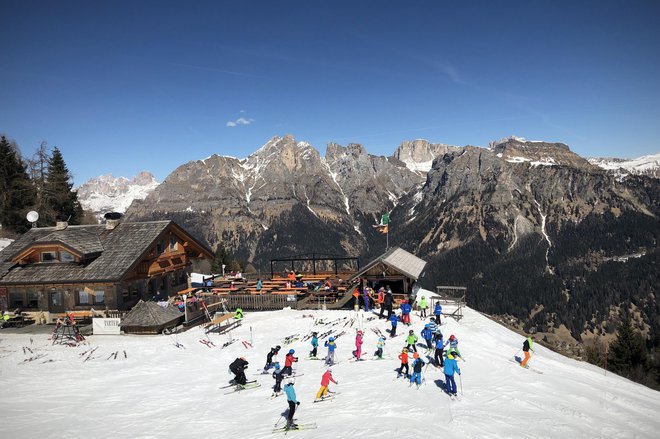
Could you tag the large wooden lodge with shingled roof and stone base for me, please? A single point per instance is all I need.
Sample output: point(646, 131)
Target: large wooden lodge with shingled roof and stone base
point(107, 266)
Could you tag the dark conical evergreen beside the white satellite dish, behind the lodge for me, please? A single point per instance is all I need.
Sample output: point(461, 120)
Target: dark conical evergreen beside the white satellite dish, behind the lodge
point(61, 201)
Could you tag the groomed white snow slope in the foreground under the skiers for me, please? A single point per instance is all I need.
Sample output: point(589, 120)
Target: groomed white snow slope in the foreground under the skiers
point(161, 391)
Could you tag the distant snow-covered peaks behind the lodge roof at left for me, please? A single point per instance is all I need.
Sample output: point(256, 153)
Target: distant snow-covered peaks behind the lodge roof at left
point(114, 194)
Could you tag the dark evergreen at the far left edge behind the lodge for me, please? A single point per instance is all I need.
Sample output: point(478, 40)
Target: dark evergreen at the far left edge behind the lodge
point(17, 194)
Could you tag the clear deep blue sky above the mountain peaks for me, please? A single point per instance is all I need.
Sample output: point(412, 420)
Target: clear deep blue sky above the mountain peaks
point(122, 86)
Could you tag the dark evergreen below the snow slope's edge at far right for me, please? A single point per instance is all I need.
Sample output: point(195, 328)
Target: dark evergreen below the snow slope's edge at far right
point(627, 350)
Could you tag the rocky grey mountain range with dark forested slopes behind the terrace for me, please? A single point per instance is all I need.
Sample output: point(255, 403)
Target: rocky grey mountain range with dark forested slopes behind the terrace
point(544, 239)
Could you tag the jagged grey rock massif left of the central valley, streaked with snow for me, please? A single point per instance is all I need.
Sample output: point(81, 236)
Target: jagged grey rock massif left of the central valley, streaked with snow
point(252, 205)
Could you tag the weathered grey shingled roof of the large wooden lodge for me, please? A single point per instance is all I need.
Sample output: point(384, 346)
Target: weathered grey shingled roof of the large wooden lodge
point(118, 250)
